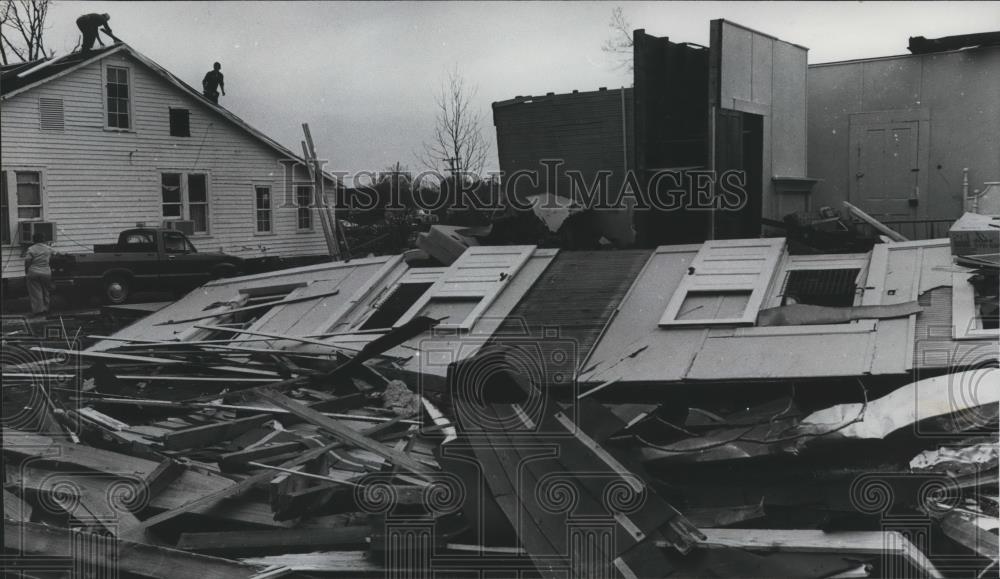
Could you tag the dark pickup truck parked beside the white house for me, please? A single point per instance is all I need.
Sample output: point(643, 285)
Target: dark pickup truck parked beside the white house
point(143, 259)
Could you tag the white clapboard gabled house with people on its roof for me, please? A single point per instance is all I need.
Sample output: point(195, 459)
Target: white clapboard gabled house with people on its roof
point(99, 142)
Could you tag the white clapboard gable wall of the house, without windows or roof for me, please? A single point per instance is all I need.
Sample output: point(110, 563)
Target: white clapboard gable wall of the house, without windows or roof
point(96, 182)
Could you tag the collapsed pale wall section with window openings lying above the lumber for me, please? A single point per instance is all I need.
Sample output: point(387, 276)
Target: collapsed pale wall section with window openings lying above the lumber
point(712, 312)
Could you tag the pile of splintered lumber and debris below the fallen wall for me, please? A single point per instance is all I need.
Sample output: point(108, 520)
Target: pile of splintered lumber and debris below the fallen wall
point(226, 457)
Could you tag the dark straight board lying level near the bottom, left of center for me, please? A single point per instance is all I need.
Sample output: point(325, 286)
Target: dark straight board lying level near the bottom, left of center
point(342, 537)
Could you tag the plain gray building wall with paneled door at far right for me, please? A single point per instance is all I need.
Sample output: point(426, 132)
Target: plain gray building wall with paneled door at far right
point(948, 99)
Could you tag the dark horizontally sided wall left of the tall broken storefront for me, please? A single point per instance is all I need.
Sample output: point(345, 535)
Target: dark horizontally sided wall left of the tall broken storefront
point(589, 132)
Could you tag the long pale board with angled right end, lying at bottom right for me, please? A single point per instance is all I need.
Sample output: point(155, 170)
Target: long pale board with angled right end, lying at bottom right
point(812, 541)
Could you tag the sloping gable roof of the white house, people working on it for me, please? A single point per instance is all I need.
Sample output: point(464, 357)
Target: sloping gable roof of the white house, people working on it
point(11, 85)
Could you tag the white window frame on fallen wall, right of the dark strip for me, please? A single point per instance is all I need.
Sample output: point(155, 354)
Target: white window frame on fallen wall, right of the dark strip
point(725, 268)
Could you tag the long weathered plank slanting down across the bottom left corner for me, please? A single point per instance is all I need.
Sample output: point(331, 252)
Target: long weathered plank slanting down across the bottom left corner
point(89, 553)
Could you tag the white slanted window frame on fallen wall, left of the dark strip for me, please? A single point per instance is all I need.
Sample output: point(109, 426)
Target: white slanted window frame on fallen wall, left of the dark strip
point(480, 272)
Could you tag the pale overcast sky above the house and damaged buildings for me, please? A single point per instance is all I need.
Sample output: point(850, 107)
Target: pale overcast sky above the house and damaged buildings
point(364, 74)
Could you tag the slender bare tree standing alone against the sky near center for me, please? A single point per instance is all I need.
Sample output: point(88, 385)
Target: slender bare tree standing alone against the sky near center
point(458, 143)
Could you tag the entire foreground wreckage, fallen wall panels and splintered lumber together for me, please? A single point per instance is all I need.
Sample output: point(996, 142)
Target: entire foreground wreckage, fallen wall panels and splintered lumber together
point(357, 419)
